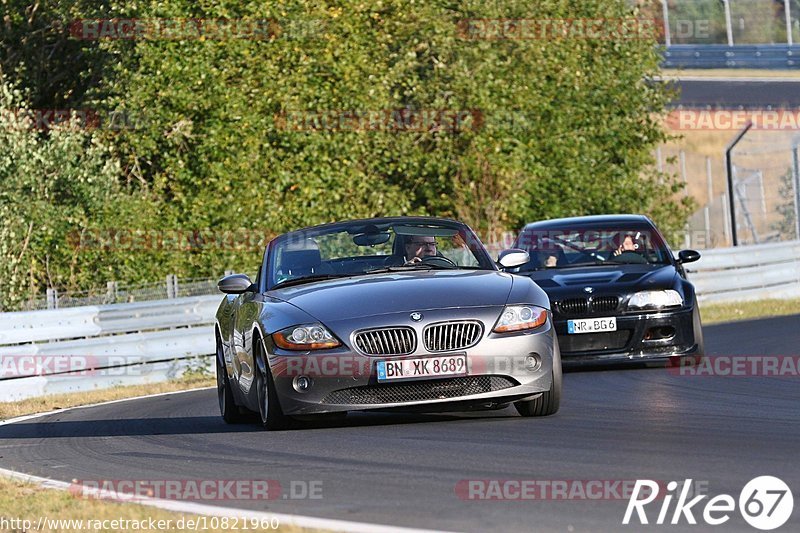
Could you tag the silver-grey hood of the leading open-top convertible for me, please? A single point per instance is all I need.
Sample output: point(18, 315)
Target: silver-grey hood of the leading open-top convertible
point(394, 292)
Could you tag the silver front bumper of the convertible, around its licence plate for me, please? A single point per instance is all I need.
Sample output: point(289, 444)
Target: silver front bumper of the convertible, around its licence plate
point(346, 380)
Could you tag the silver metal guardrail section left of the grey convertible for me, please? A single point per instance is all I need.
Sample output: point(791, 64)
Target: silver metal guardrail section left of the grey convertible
point(84, 348)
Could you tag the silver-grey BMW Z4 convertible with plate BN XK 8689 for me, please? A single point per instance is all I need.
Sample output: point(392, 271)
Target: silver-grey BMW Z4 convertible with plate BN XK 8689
point(407, 313)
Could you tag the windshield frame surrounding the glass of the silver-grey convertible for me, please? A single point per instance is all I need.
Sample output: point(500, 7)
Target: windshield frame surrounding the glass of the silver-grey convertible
point(471, 241)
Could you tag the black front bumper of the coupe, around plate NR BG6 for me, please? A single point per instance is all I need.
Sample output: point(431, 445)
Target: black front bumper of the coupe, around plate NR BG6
point(639, 338)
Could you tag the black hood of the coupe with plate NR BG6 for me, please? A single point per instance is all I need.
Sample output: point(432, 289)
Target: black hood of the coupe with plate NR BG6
point(608, 279)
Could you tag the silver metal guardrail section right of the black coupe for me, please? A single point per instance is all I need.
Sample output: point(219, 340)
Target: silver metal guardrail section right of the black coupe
point(754, 272)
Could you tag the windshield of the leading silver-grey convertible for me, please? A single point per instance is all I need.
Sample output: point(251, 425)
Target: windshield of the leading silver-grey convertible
point(357, 248)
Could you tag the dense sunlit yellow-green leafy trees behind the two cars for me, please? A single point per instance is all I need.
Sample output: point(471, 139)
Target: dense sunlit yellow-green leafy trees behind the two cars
point(554, 127)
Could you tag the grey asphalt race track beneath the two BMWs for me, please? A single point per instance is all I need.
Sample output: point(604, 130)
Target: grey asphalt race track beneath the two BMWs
point(402, 469)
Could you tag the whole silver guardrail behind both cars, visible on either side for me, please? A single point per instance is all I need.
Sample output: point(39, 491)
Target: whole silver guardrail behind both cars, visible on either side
point(121, 344)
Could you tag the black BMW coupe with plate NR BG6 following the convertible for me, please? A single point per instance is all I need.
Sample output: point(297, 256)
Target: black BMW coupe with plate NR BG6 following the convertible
point(617, 293)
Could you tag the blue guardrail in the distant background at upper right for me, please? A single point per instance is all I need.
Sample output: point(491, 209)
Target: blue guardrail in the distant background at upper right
point(766, 56)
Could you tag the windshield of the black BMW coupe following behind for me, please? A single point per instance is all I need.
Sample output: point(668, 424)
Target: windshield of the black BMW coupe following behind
point(566, 248)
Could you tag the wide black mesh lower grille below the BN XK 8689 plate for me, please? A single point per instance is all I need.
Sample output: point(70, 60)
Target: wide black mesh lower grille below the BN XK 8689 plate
point(419, 390)
